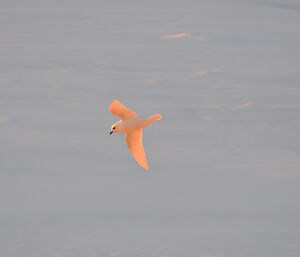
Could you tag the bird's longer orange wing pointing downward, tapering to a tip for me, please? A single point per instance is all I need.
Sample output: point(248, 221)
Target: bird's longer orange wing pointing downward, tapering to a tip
point(134, 142)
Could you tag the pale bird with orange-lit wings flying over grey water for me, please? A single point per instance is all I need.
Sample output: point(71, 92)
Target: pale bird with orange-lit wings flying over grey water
point(132, 124)
